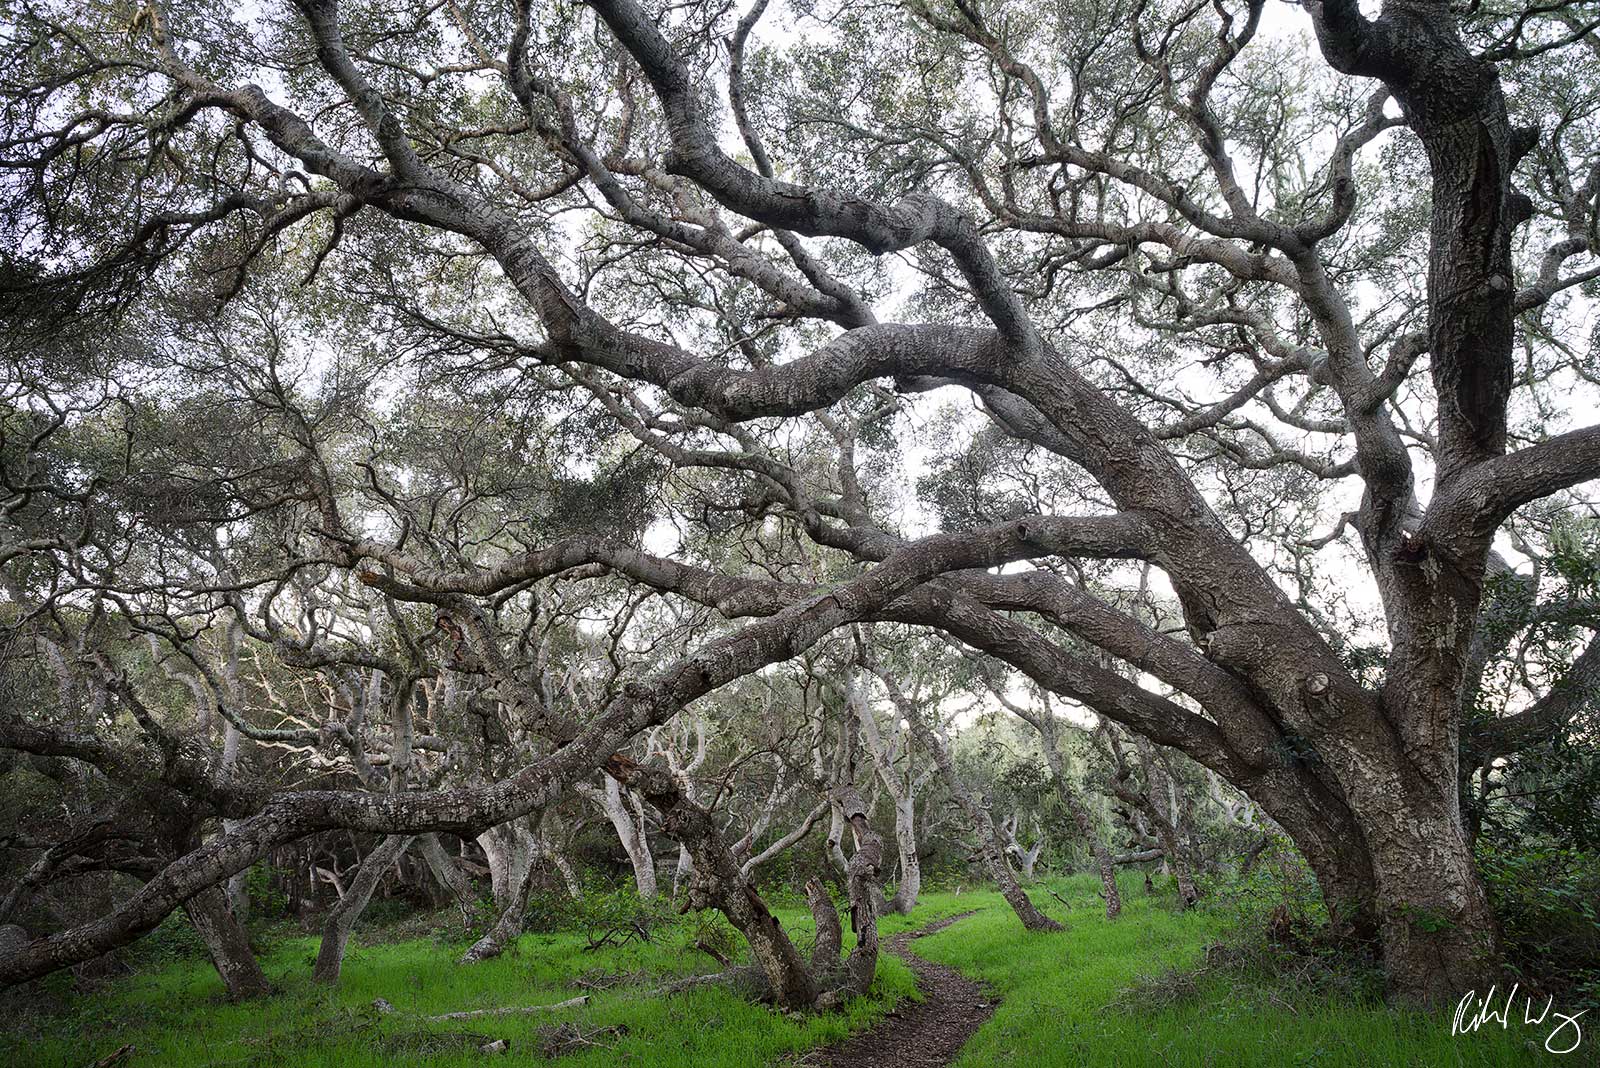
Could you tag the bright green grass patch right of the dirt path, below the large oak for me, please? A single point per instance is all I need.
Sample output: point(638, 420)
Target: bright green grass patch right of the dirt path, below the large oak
point(1145, 990)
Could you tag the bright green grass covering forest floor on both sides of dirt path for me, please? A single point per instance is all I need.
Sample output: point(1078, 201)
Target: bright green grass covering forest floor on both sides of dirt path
point(1138, 992)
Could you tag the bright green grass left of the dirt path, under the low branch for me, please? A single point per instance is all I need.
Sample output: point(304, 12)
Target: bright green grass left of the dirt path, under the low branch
point(177, 1013)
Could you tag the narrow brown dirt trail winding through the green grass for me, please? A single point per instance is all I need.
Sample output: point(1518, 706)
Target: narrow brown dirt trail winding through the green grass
point(924, 1034)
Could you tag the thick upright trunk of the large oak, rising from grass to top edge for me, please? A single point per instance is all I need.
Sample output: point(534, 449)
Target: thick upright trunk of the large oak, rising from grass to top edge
point(1439, 936)
